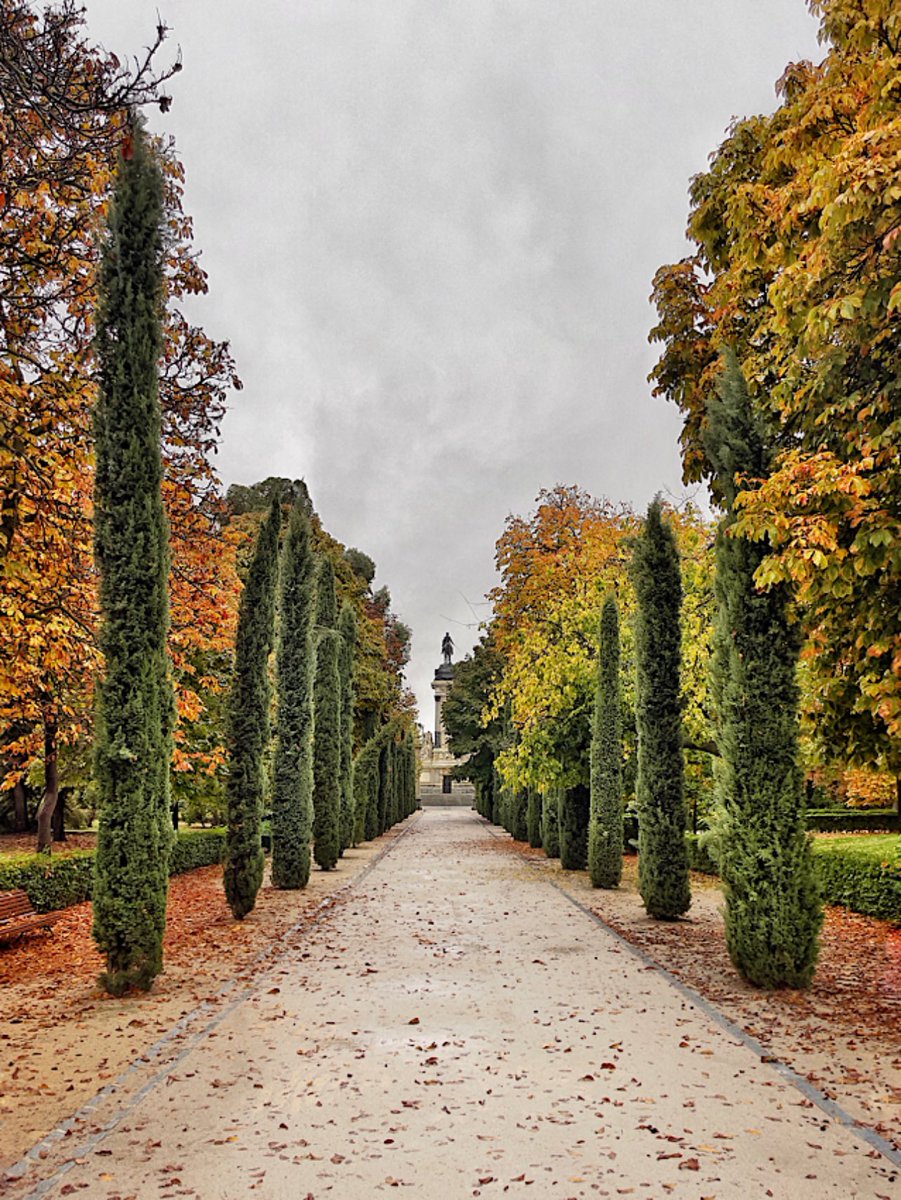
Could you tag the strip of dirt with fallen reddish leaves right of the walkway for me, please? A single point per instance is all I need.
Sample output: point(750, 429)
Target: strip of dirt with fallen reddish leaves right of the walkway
point(842, 1034)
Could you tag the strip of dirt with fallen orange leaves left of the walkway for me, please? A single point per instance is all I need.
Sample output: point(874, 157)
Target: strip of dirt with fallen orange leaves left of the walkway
point(63, 1039)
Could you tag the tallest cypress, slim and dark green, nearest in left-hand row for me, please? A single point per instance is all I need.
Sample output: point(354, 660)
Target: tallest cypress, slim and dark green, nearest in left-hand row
point(135, 709)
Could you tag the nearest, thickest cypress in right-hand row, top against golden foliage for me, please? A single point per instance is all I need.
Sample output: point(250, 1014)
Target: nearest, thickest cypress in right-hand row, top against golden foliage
point(773, 911)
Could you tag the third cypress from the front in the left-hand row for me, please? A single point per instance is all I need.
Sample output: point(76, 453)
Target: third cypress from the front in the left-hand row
point(293, 766)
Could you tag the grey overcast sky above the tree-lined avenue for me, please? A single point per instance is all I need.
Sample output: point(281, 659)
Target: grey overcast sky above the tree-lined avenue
point(430, 229)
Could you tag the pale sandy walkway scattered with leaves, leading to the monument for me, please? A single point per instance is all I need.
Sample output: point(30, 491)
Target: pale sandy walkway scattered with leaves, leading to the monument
point(458, 1028)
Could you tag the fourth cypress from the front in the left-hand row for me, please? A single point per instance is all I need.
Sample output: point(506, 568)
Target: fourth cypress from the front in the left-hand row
point(327, 724)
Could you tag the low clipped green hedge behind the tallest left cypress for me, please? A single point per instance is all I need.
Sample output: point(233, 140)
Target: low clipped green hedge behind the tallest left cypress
point(57, 883)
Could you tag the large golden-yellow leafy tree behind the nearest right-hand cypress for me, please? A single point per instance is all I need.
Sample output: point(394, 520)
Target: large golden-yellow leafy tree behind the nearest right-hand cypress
point(796, 268)
